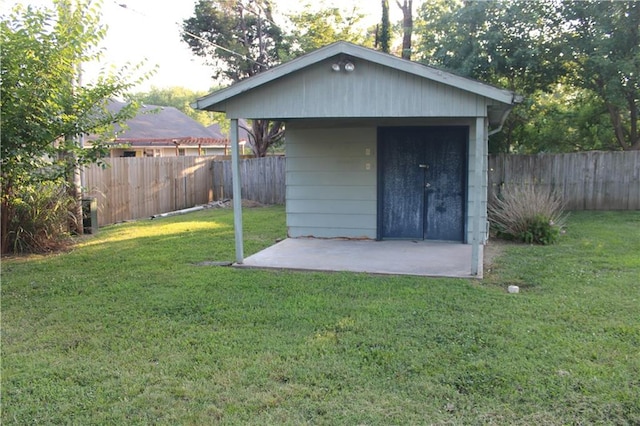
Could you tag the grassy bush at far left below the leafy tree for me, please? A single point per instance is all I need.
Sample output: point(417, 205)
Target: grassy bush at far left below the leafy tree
point(40, 220)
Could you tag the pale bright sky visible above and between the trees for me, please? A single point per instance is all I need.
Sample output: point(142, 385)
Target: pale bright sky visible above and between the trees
point(149, 31)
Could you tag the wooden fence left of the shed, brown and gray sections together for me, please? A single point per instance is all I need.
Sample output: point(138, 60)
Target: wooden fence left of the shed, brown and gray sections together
point(135, 188)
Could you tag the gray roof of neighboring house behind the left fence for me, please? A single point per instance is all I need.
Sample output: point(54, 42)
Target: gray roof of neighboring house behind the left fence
point(162, 126)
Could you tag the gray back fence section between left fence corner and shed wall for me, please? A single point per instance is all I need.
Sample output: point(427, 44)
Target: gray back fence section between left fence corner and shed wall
point(262, 179)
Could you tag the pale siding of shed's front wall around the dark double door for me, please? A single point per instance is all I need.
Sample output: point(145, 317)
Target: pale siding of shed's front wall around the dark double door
point(332, 179)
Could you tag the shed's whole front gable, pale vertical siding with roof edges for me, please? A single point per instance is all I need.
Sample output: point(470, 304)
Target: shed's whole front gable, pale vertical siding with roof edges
point(381, 85)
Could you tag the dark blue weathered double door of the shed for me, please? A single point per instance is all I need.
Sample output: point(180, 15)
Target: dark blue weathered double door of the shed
point(422, 181)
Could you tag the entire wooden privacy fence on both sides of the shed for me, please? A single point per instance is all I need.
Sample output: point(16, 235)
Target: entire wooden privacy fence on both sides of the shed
point(134, 188)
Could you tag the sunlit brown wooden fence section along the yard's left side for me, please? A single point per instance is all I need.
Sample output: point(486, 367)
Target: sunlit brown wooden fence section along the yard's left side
point(134, 188)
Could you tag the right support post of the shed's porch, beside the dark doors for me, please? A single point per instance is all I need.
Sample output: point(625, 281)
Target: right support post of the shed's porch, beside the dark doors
point(478, 182)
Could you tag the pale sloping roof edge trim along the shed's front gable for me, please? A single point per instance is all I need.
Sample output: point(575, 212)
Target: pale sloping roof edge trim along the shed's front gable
point(215, 101)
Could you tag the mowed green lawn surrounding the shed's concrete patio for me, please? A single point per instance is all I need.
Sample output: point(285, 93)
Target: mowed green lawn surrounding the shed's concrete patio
point(127, 329)
